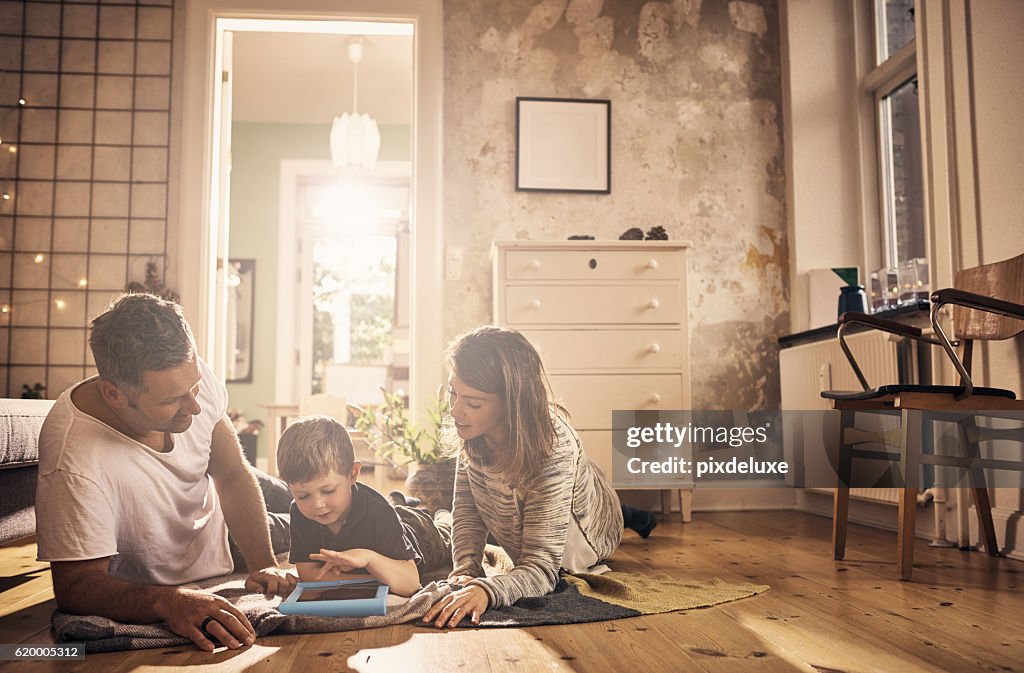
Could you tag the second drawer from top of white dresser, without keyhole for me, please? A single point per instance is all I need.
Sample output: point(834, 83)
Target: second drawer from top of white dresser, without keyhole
point(582, 305)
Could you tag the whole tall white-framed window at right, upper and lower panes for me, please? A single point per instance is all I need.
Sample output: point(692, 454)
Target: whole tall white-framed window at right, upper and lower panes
point(894, 86)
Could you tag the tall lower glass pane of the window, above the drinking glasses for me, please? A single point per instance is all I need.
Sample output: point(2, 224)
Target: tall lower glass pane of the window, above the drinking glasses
point(904, 194)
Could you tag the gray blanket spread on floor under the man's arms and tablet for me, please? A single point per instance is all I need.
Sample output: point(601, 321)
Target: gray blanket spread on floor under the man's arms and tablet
point(102, 635)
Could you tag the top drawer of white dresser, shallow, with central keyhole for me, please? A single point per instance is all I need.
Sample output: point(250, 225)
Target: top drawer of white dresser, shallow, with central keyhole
point(593, 265)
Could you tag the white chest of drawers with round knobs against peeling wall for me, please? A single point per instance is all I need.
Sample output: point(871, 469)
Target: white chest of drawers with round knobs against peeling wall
point(610, 321)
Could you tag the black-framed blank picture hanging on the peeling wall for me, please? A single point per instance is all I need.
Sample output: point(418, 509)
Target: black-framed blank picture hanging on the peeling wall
point(564, 145)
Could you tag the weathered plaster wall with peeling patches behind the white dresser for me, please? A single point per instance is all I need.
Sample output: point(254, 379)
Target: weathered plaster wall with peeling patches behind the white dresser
point(697, 148)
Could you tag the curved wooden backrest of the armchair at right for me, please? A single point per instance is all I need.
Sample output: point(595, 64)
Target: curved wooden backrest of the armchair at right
point(1003, 280)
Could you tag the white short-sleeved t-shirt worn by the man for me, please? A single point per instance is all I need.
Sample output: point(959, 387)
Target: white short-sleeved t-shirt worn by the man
point(102, 494)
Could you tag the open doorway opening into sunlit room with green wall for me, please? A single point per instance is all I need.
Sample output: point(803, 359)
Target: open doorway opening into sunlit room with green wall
point(331, 284)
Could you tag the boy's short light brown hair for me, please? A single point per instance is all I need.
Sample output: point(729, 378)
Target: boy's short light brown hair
point(313, 447)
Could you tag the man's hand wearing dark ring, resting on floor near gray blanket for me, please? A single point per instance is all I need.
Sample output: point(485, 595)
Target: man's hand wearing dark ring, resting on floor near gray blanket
point(186, 613)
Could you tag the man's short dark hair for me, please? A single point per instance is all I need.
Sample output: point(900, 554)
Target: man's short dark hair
point(140, 333)
